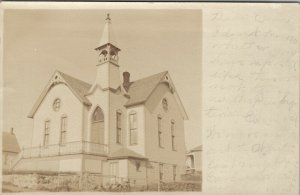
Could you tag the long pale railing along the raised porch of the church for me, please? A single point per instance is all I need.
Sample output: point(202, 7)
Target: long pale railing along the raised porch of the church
point(78, 147)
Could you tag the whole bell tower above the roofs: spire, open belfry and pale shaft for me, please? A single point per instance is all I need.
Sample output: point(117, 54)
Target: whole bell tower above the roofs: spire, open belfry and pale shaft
point(108, 74)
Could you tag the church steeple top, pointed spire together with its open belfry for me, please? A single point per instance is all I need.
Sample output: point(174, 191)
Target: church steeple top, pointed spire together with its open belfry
point(108, 51)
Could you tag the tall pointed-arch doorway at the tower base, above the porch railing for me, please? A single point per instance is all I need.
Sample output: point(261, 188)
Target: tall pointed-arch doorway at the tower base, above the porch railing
point(97, 128)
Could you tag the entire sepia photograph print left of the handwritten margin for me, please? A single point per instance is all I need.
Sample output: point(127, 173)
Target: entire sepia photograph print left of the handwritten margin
point(102, 100)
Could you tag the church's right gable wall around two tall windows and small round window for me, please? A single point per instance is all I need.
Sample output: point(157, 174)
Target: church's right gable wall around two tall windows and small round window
point(154, 107)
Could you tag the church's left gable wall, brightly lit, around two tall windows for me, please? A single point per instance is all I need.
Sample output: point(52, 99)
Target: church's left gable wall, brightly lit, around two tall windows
point(70, 106)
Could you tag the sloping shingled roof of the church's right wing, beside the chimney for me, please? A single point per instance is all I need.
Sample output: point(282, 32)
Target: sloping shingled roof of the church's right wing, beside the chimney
point(141, 89)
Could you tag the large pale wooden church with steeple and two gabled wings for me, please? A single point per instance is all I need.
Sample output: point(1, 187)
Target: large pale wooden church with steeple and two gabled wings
point(116, 127)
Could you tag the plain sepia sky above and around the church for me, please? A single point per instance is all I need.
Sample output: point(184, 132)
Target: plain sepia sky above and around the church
point(38, 42)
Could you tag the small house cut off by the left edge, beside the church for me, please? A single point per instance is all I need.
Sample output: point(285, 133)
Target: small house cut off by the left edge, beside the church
point(10, 150)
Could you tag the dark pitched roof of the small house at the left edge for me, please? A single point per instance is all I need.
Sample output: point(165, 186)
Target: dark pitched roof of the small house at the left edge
point(10, 143)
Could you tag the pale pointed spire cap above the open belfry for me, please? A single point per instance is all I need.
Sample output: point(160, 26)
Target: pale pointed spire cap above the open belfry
point(107, 34)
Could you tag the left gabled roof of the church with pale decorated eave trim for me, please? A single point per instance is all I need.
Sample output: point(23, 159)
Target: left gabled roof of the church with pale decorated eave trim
point(78, 87)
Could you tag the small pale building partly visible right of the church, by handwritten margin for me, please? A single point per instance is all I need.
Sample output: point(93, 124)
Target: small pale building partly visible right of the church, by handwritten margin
point(194, 159)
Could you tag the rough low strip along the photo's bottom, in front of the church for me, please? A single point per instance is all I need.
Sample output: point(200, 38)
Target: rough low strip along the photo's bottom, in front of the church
point(58, 182)
